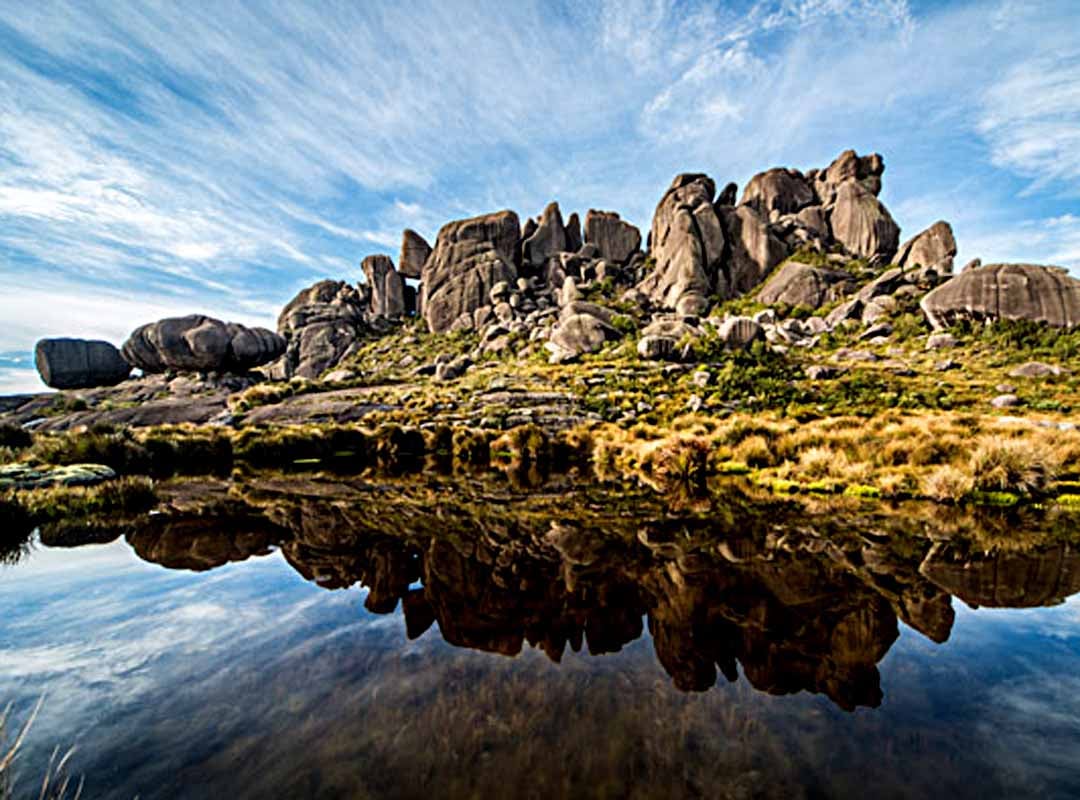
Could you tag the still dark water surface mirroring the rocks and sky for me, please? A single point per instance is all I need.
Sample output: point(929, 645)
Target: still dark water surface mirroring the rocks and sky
point(337, 640)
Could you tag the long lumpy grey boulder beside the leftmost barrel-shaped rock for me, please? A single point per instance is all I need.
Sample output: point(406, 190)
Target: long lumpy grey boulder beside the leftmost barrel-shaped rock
point(202, 345)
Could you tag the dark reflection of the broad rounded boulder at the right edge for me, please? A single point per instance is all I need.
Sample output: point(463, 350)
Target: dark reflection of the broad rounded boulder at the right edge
point(1045, 577)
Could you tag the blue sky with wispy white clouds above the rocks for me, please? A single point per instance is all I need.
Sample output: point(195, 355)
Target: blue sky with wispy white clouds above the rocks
point(166, 158)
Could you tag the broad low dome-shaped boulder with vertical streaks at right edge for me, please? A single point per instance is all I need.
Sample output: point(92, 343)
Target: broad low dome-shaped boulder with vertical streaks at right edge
point(1006, 292)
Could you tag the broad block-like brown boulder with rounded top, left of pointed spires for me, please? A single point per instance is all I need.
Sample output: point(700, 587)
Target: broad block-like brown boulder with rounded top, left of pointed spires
point(470, 257)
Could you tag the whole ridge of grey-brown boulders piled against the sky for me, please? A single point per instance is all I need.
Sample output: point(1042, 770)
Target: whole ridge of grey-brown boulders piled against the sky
point(821, 242)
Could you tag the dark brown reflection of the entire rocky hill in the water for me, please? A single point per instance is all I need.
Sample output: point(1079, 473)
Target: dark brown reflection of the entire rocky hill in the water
point(801, 602)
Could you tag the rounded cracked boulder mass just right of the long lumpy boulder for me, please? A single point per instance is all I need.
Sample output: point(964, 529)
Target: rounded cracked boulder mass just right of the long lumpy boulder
point(322, 326)
